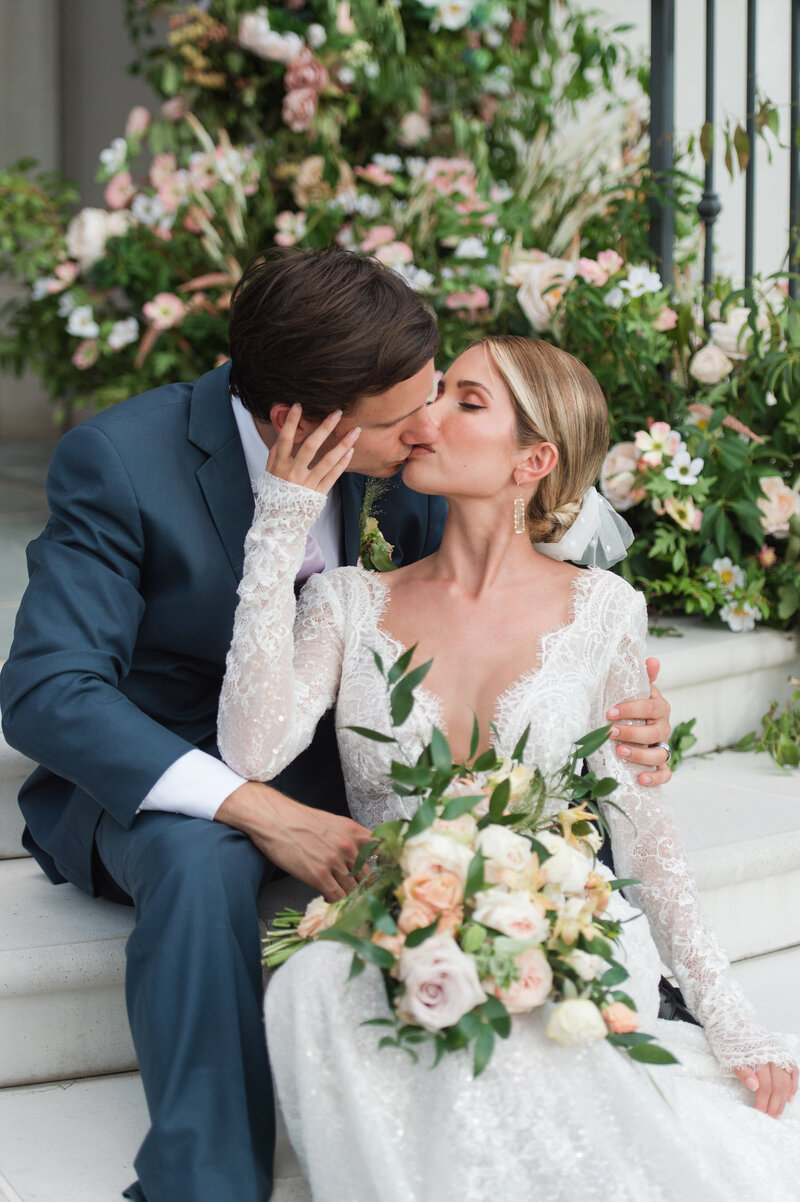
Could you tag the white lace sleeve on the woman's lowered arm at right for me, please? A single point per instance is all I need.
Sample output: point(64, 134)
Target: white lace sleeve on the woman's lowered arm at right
point(649, 849)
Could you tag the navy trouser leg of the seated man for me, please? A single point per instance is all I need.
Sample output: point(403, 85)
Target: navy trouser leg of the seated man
point(194, 992)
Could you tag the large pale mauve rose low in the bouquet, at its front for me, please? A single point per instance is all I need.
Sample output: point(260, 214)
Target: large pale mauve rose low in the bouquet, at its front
point(441, 984)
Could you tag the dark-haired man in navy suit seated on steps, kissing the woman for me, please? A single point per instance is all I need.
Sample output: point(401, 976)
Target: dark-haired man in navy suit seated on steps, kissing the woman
point(115, 674)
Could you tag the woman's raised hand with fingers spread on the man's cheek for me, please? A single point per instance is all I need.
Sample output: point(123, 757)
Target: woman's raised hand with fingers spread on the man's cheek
point(300, 460)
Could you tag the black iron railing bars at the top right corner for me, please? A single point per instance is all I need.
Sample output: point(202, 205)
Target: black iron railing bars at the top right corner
point(662, 98)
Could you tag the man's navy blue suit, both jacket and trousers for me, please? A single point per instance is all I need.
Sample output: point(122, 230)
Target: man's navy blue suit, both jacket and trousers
point(115, 674)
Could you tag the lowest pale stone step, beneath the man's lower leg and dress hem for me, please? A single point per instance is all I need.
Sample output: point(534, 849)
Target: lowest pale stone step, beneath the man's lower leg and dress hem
point(95, 1126)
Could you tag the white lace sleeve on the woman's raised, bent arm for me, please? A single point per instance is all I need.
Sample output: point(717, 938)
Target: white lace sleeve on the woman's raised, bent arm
point(283, 669)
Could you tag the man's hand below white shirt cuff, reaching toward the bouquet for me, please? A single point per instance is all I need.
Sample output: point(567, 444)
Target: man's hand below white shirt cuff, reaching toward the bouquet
point(313, 846)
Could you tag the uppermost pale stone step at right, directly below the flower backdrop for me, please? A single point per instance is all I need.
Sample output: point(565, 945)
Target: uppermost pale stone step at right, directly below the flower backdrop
point(723, 679)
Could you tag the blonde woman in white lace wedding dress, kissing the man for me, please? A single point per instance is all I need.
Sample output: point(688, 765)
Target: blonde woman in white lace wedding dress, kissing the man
point(517, 636)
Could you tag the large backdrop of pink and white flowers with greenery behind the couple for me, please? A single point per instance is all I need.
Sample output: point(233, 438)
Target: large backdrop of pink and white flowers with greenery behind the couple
point(495, 156)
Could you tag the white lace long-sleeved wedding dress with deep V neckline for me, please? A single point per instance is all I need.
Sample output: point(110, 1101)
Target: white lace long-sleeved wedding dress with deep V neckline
point(544, 1123)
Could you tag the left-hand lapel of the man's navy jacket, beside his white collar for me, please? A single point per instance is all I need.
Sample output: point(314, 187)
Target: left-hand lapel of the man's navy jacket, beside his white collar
point(224, 478)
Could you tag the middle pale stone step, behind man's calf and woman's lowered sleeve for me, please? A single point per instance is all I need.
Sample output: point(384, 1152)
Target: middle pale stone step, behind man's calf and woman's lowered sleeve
point(62, 954)
